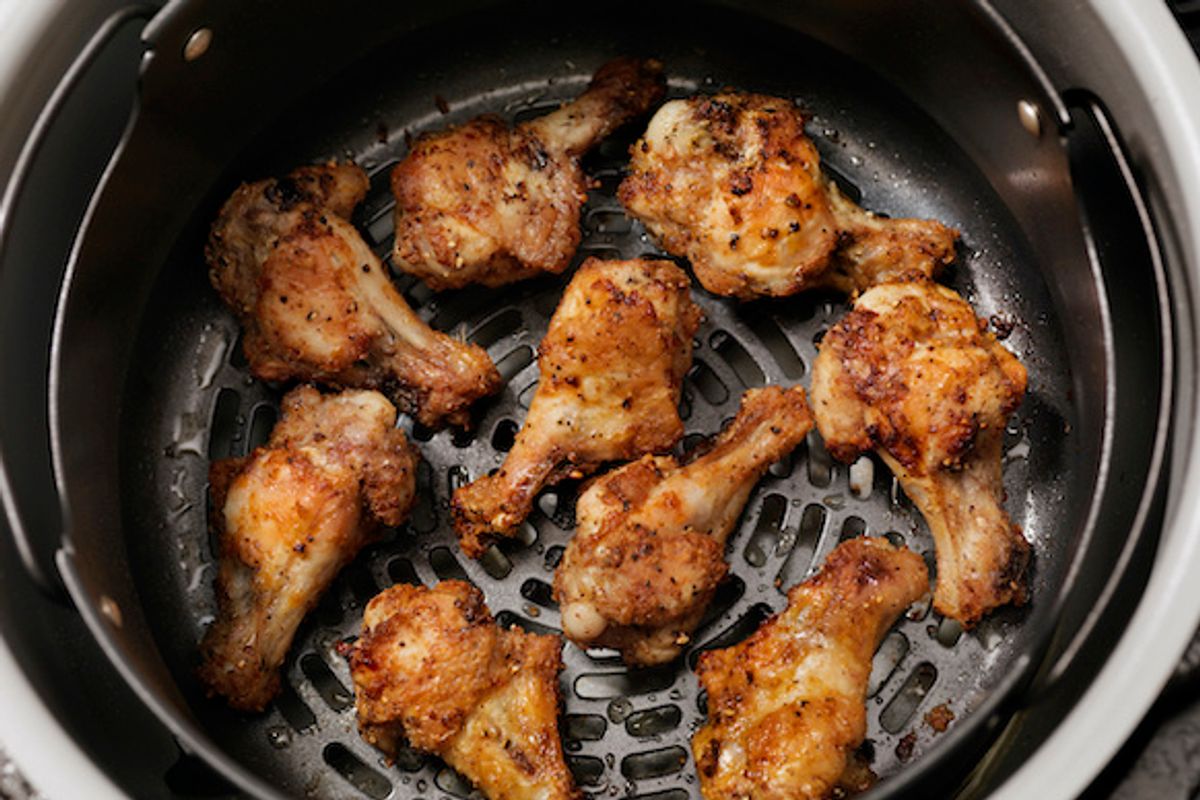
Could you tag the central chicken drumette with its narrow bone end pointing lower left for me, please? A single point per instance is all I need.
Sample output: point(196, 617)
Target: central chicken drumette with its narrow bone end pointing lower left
point(613, 366)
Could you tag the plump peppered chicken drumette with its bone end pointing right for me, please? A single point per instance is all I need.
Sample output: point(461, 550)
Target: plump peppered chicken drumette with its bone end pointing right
point(733, 184)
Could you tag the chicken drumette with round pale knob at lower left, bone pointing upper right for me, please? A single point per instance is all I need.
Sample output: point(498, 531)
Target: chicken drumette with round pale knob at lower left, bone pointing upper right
point(650, 548)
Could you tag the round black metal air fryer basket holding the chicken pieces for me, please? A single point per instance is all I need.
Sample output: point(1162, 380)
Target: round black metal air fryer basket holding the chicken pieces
point(151, 383)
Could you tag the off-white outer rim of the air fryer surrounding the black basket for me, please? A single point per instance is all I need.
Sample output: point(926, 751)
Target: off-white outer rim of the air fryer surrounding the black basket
point(1161, 119)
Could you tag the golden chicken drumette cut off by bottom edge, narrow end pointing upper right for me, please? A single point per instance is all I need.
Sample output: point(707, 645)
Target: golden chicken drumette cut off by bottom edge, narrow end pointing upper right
point(788, 706)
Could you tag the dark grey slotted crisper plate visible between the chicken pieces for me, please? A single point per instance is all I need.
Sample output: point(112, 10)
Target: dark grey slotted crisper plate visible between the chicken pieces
point(626, 732)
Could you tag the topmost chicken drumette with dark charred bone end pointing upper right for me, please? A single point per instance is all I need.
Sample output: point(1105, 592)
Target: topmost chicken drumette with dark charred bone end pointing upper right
point(484, 203)
